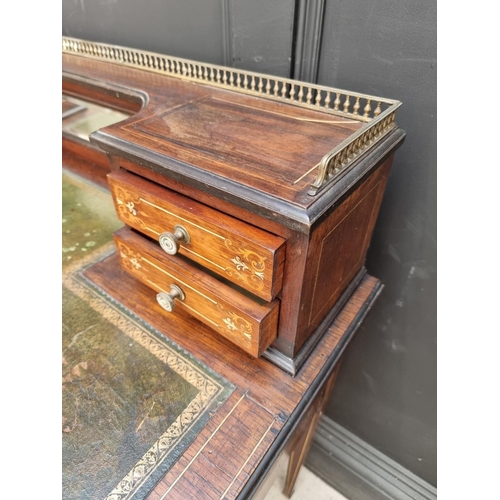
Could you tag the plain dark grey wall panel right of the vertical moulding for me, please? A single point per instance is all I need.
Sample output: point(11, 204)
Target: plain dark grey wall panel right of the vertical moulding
point(386, 391)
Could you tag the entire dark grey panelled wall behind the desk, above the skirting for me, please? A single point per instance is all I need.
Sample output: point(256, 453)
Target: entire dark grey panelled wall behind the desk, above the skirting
point(386, 391)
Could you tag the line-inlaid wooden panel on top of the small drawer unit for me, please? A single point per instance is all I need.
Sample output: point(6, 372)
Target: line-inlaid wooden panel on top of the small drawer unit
point(256, 143)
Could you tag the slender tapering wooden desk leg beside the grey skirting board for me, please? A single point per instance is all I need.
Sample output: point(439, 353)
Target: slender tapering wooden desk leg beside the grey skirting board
point(305, 432)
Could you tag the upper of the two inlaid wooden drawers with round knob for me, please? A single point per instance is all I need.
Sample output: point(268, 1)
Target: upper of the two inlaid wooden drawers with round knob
point(237, 251)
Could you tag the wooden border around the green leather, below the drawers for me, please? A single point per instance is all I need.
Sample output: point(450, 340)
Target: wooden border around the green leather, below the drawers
point(272, 400)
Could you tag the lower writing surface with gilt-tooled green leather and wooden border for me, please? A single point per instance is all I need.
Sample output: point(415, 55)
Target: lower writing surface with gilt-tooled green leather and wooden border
point(153, 416)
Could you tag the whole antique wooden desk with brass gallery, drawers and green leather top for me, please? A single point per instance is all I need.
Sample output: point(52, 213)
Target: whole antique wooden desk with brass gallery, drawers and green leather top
point(241, 208)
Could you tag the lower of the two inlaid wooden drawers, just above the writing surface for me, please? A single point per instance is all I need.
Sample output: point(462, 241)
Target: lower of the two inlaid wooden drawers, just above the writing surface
point(249, 323)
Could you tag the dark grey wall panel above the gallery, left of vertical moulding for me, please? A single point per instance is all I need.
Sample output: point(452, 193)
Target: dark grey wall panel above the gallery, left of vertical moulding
point(254, 35)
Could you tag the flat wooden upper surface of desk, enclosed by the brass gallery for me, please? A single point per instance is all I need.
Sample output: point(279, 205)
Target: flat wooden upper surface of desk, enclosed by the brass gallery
point(255, 129)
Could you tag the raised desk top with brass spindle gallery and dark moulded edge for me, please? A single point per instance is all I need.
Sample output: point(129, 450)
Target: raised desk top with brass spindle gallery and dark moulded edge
point(269, 145)
